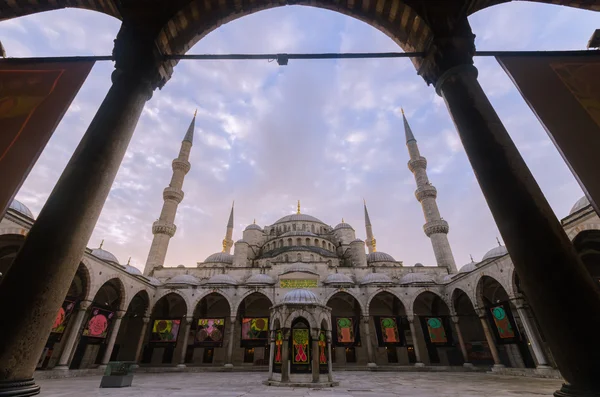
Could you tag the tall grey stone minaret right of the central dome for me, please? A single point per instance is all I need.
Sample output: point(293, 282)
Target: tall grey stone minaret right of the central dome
point(435, 227)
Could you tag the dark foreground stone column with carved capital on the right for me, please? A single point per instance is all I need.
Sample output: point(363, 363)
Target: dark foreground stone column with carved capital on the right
point(559, 289)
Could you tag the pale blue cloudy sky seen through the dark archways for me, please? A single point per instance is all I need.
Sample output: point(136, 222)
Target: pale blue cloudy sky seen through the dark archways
point(326, 132)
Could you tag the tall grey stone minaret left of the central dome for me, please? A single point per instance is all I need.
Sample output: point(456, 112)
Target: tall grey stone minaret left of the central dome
point(164, 228)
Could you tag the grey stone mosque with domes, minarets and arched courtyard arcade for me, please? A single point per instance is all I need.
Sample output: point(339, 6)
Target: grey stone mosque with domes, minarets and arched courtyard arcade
point(300, 298)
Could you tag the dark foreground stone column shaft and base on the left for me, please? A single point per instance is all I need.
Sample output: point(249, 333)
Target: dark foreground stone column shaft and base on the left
point(37, 282)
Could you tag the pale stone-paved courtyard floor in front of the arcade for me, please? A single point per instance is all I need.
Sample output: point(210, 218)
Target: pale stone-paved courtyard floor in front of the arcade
point(355, 384)
